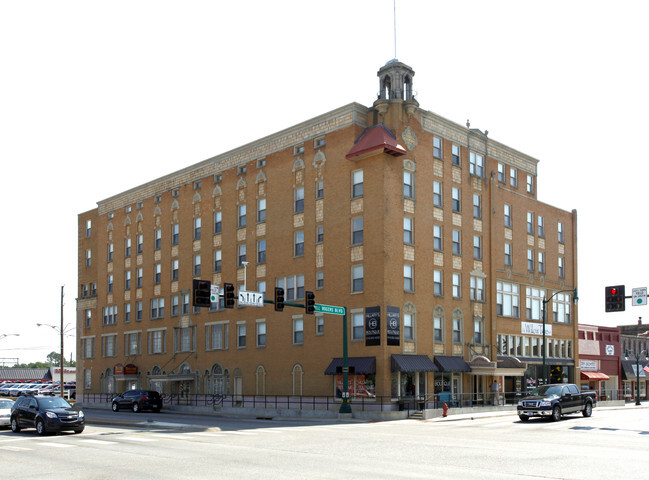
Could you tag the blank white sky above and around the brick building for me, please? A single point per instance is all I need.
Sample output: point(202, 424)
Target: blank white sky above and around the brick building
point(100, 97)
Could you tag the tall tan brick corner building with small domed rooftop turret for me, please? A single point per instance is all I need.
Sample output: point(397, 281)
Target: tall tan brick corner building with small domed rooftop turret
point(402, 216)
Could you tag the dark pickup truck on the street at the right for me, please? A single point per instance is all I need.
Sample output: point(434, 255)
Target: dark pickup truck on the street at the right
point(554, 400)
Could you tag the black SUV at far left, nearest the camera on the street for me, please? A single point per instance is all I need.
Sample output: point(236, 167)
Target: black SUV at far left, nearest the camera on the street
point(46, 414)
